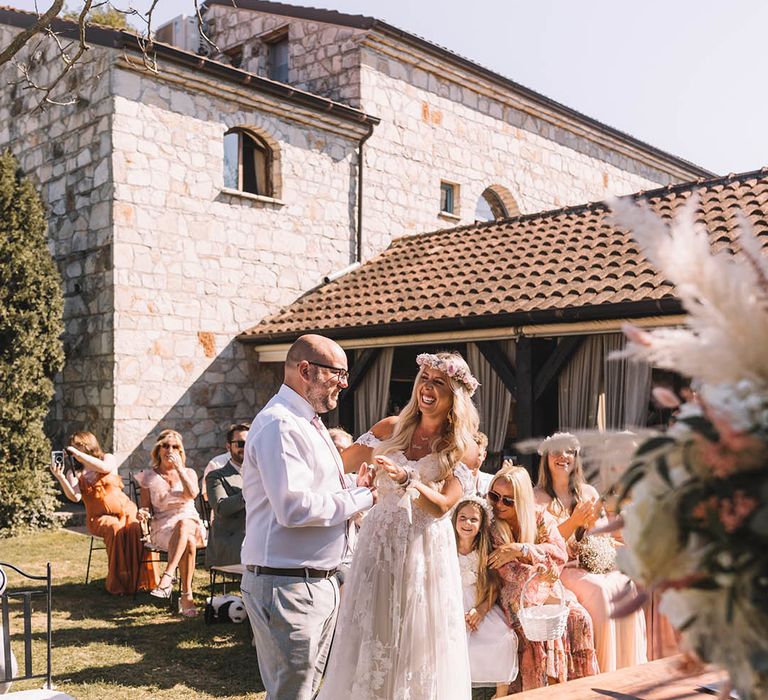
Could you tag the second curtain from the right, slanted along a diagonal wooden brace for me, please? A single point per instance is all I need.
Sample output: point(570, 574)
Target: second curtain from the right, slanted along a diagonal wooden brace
point(580, 385)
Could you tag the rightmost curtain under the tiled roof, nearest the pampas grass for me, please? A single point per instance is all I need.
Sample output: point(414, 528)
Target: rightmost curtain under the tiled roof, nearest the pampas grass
point(627, 387)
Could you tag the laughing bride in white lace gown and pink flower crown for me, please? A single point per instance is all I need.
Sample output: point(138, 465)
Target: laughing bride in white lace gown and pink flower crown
point(400, 632)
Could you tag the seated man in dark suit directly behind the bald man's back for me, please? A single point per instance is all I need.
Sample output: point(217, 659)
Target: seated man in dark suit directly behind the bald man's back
point(225, 494)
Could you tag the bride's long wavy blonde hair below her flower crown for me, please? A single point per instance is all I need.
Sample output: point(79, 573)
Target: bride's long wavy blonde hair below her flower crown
point(463, 422)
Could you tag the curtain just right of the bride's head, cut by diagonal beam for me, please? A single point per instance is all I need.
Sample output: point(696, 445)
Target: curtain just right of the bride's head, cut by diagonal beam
point(492, 399)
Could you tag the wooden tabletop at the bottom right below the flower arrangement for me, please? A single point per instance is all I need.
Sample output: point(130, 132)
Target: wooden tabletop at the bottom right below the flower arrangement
point(656, 680)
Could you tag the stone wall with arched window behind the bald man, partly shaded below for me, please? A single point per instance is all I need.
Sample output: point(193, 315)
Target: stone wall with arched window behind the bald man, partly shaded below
point(194, 265)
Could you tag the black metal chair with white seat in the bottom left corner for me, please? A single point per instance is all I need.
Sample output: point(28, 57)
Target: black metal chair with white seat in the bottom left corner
point(26, 596)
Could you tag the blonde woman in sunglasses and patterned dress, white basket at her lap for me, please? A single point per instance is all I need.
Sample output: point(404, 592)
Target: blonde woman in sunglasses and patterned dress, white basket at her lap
point(526, 541)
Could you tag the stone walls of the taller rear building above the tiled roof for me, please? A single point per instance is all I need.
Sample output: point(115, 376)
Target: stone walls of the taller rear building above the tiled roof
point(441, 120)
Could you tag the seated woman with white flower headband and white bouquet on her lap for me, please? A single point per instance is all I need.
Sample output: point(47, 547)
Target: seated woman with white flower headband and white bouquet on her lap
point(576, 506)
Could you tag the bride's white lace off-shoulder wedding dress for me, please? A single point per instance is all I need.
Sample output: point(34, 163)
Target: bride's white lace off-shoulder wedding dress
point(400, 634)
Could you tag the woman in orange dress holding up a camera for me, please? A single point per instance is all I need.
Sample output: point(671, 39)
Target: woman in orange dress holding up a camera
point(110, 514)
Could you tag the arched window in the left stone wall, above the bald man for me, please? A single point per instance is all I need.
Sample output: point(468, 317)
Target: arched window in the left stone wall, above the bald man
point(247, 163)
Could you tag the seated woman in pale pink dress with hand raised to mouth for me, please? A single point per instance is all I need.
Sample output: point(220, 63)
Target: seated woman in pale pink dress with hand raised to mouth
point(168, 491)
